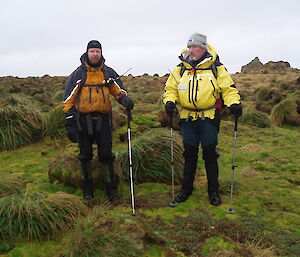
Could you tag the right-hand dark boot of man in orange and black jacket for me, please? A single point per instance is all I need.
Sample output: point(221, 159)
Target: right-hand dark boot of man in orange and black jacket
point(110, 181)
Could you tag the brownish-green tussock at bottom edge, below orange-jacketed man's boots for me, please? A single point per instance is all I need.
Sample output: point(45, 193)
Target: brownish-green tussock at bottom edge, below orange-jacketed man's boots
point(101, 234)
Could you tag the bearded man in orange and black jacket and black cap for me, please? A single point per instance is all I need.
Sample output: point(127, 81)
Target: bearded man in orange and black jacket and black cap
point(87, 108)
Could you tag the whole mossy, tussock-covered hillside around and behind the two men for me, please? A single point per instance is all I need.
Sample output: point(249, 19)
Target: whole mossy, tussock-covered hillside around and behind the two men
point(42, 214)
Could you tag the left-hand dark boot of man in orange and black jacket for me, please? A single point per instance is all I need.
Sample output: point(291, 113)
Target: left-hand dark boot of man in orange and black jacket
point(87, 185)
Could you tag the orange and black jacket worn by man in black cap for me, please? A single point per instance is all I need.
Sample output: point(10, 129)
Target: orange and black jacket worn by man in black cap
point(87, 88)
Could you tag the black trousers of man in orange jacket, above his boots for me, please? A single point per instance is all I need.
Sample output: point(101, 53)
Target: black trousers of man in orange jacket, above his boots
point(101, 134)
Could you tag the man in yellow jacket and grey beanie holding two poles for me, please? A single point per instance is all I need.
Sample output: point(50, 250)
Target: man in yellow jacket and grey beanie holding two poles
point(197, 85)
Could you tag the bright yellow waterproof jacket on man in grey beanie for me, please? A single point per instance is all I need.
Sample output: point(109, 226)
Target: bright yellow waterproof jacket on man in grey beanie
point(198, 88)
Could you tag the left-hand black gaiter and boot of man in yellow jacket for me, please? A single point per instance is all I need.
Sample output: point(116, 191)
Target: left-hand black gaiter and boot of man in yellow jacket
point(190, 165)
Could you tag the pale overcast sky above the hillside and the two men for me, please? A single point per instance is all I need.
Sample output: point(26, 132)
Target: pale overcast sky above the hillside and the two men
point(41, 37)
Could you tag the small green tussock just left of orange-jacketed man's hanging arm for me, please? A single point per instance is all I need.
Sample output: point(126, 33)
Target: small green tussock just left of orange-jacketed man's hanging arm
point(55, 124)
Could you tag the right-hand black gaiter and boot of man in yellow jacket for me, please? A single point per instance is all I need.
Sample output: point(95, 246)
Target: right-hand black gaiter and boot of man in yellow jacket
point(212, 173)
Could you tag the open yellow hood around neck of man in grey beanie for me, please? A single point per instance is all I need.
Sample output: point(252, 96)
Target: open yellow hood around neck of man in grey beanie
point(209, 58)
